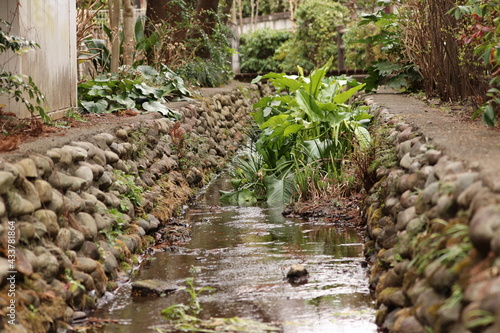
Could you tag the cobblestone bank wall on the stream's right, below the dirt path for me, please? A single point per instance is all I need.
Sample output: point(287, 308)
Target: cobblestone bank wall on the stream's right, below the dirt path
point(433, 238)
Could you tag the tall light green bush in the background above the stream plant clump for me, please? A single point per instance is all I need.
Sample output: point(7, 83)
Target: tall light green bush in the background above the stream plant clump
point(313, 42)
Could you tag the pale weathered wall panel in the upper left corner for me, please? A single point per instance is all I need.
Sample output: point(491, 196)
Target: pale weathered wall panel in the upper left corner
point(53, 66)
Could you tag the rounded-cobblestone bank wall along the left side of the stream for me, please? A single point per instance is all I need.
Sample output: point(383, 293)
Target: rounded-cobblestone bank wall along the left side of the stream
point(72, 217)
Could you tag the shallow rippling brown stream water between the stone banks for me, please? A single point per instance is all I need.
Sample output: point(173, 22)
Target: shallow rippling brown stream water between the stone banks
point(244, 253)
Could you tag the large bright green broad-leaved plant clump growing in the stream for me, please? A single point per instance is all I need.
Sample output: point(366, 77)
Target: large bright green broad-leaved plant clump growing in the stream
point(305, 133)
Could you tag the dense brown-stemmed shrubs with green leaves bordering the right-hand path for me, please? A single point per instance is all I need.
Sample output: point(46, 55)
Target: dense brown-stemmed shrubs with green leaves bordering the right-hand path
point(449, 48)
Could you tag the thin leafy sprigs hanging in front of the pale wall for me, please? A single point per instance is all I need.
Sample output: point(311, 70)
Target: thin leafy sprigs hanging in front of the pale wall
point(20, 87)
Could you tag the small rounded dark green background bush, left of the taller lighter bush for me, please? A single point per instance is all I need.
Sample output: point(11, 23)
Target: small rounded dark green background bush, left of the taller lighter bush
point(257, 50)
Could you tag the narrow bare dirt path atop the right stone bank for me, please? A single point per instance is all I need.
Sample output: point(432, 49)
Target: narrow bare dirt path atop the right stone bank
point(470, 142)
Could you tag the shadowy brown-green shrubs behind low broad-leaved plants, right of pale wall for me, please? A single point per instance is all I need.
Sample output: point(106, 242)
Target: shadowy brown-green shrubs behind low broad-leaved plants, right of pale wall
point(183, 46)
